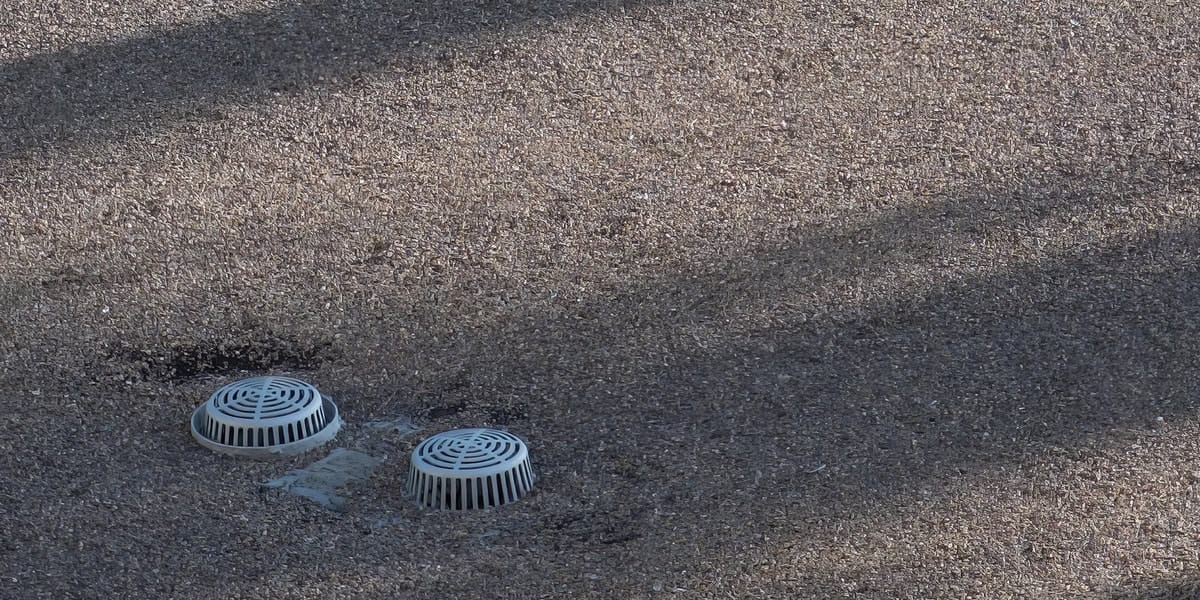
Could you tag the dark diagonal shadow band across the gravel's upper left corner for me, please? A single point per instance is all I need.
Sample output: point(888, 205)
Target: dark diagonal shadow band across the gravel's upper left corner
point(104, 92)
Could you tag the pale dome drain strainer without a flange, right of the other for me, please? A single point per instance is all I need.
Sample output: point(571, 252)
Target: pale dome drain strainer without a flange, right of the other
point(467, 470)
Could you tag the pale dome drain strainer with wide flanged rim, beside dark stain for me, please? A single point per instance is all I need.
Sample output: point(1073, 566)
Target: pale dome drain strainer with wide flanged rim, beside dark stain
point(266, 417)
